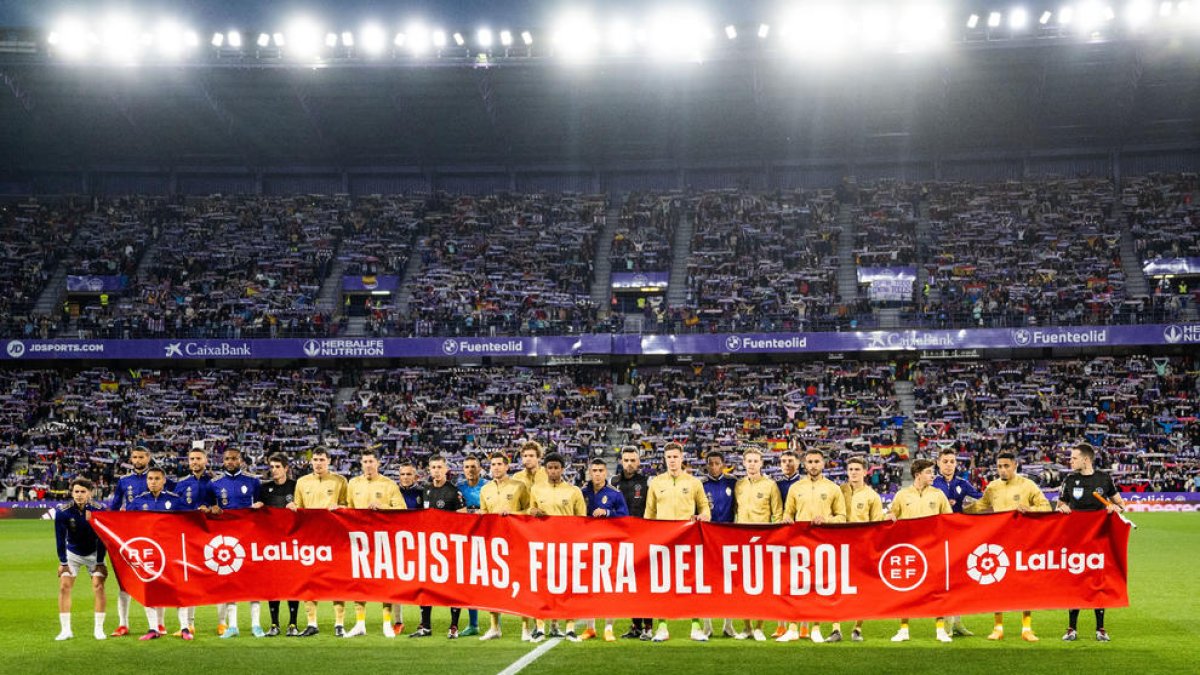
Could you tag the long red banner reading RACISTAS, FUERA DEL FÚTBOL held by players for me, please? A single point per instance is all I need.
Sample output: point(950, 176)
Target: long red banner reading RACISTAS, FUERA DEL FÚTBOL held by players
point(563, 568)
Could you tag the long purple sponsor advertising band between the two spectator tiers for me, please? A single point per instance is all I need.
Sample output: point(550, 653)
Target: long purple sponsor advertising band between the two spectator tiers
point(607, 345)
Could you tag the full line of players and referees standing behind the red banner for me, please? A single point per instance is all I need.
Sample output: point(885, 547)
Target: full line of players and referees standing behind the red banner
point(538, 489)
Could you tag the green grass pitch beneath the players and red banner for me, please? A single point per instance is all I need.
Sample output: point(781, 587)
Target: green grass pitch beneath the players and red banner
point(1159, 634)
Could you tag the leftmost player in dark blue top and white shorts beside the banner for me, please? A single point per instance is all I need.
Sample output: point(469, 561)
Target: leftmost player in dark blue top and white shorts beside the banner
point(80, 548)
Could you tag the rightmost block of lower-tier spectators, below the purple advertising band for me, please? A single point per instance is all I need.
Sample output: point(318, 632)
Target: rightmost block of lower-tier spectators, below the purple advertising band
point(1139, 413)
